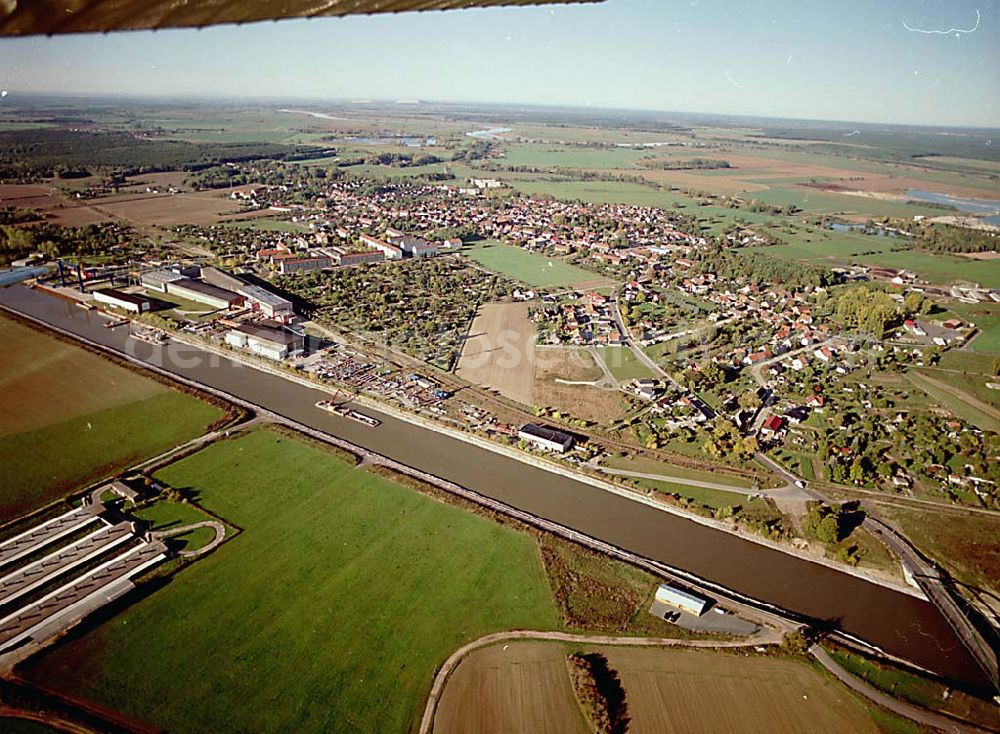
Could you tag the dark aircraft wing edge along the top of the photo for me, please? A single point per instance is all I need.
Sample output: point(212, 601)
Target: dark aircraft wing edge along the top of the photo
point(47, 17)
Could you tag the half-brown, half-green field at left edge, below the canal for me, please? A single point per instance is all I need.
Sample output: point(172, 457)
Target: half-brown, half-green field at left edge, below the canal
point(69, 417)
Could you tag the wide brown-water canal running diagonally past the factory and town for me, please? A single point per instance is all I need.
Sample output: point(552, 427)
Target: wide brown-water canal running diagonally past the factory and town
point(898, 623)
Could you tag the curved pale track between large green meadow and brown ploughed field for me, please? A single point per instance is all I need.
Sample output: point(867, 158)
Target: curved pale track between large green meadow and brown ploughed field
point(765, 637)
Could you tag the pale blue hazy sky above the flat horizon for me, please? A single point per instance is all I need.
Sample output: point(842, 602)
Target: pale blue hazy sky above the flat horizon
point(888, 61)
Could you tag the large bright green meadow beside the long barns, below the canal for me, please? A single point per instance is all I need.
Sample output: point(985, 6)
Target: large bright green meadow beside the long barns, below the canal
point(330, 611)
